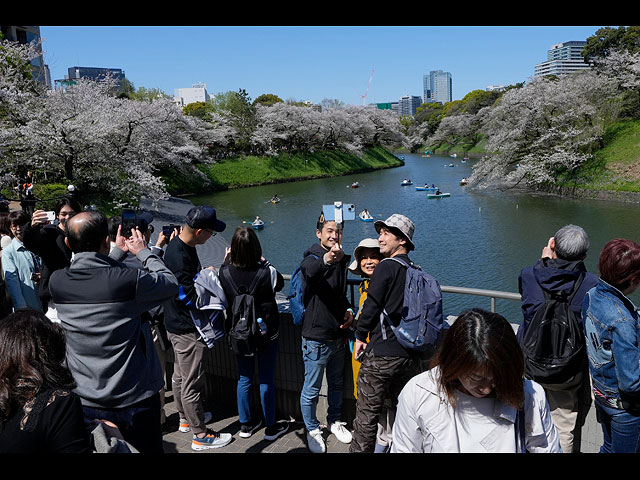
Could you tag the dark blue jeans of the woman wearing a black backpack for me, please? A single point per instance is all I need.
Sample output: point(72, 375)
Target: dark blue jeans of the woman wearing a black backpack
point(266, 377)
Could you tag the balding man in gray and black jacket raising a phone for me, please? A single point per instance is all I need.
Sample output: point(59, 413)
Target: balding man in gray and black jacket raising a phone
point(110, 349)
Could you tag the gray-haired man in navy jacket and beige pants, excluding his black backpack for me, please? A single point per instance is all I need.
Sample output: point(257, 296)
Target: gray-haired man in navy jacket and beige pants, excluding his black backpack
point(561, 270)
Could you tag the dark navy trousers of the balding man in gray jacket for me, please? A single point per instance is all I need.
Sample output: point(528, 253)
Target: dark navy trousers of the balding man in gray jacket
point(139, 423)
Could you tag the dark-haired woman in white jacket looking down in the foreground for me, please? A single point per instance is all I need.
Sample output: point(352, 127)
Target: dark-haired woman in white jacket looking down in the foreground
point(475, 398)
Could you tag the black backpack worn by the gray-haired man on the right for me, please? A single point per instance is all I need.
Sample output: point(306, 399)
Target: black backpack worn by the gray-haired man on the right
point(554, 345)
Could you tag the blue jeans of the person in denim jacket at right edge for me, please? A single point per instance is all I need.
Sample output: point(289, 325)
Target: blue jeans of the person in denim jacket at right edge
point(620, 429)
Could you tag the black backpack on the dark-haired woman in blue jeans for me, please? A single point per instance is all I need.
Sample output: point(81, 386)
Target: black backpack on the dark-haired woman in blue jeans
point(244, 334)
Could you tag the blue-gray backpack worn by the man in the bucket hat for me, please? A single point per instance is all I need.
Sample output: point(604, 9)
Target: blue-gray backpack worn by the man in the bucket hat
point(421, 319)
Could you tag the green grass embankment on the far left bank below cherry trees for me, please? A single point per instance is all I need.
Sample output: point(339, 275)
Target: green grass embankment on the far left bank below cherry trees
point(251, 170)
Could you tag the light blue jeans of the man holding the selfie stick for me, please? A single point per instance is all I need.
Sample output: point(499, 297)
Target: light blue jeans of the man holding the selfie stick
point(319, 357)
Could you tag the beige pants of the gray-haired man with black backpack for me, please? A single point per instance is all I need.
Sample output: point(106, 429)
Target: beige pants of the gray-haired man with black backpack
point(569, 404)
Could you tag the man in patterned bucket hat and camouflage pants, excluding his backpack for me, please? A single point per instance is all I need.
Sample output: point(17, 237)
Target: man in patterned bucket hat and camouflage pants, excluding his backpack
point(386, 365)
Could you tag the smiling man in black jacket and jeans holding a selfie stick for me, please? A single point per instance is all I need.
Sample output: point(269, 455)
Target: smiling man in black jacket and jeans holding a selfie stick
point(326, 320)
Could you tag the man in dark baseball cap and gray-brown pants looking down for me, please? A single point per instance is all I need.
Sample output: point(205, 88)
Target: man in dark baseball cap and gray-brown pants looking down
point(201, 223)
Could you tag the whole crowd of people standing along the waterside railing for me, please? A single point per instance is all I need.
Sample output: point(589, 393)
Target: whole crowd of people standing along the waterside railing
point(91, 309)
